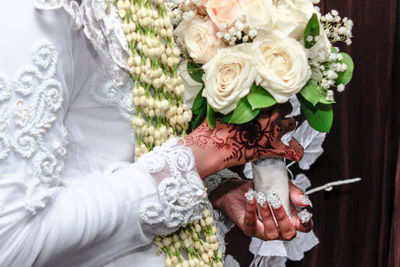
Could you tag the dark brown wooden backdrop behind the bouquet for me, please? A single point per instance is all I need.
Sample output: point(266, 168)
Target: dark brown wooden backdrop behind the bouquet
point(359, 224)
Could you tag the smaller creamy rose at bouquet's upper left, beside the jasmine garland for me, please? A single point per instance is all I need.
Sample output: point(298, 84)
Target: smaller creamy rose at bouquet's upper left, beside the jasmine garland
point(199, 39)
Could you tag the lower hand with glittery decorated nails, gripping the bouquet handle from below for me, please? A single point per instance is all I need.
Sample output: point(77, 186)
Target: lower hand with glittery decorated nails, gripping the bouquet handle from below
point(230, 198)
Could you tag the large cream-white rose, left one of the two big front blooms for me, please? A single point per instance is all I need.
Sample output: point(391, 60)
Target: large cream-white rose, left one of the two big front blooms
point(228, 77)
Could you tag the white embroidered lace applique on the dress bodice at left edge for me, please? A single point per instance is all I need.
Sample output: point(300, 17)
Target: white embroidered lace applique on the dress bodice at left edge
point(29, 105)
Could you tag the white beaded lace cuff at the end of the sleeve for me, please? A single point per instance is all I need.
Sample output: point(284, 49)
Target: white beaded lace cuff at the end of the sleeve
point(182, 194)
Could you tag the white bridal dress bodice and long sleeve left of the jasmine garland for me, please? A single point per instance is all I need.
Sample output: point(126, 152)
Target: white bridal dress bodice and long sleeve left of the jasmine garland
point(68, 197)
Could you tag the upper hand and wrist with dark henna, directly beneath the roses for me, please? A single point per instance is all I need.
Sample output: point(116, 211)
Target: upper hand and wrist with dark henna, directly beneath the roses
point(230, 145)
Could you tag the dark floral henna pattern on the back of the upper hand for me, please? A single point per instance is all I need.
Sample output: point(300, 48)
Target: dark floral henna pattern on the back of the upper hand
point(250, 141)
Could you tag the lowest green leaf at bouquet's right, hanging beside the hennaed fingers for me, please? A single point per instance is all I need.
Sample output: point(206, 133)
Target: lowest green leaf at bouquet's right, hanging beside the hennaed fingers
point(319, 117)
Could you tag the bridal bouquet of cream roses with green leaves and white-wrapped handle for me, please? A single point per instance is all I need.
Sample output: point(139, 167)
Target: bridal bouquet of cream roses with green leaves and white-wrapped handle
point(253, 54)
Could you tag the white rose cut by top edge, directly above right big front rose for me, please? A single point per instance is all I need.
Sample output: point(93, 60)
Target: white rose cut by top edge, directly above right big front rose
point(293, 16)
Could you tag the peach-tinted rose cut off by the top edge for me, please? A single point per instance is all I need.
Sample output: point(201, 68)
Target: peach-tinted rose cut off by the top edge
point(225, 11)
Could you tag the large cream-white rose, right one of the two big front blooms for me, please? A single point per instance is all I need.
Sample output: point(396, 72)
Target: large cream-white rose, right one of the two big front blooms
point(282, 66)
